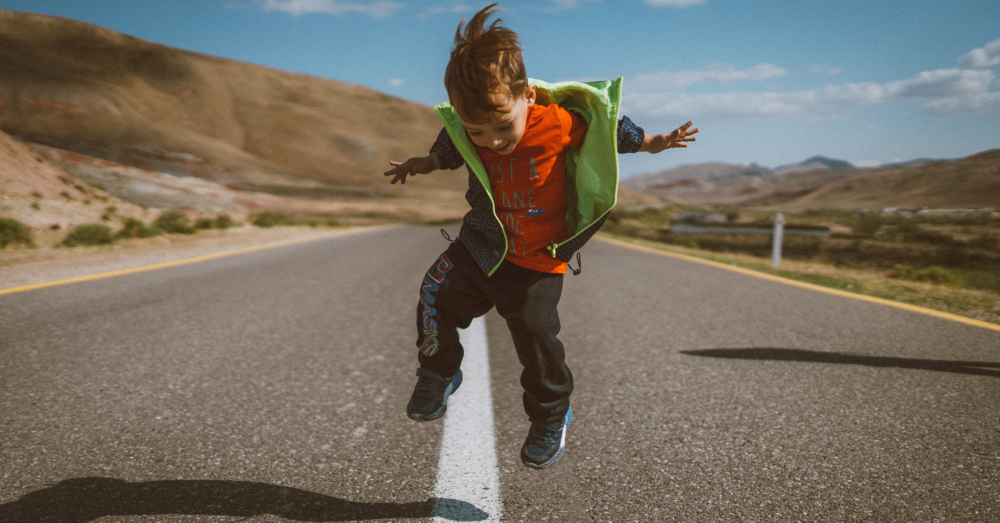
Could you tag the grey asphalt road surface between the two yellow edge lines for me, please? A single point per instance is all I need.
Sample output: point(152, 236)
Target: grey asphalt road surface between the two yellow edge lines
point(271, 386)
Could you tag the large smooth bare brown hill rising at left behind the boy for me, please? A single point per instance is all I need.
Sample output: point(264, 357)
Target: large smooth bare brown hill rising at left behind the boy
point(71, 81)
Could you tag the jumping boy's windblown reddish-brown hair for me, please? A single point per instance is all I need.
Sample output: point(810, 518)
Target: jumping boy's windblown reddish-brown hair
point(485, 63)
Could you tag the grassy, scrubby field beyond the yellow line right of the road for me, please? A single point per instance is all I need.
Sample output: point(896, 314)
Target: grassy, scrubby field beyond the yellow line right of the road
point(947, 261)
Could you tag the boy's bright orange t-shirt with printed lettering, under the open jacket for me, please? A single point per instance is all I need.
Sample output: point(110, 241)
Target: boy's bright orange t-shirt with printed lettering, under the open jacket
point(529, 186)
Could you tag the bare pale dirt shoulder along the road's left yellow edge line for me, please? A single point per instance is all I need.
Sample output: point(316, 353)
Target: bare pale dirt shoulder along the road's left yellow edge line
point(21, 266)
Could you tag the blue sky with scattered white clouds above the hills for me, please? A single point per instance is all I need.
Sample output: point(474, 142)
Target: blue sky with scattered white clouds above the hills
point(767, 81)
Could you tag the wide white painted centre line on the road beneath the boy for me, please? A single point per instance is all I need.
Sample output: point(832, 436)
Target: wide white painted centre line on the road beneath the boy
point(468, 482)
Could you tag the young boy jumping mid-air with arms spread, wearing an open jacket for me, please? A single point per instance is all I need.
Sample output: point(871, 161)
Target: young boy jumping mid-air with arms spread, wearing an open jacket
point(543, 175)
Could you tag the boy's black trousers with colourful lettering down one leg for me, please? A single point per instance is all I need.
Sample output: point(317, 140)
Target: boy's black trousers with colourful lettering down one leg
point(455, 290)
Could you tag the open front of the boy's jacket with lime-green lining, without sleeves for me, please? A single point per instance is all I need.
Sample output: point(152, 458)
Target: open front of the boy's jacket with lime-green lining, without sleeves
point(591, 171)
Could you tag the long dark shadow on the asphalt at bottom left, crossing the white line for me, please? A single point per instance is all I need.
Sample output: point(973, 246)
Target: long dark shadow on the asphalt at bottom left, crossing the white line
point(80, 500)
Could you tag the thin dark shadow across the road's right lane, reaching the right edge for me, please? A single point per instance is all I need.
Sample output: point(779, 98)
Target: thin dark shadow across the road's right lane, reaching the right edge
point(978, 368)
